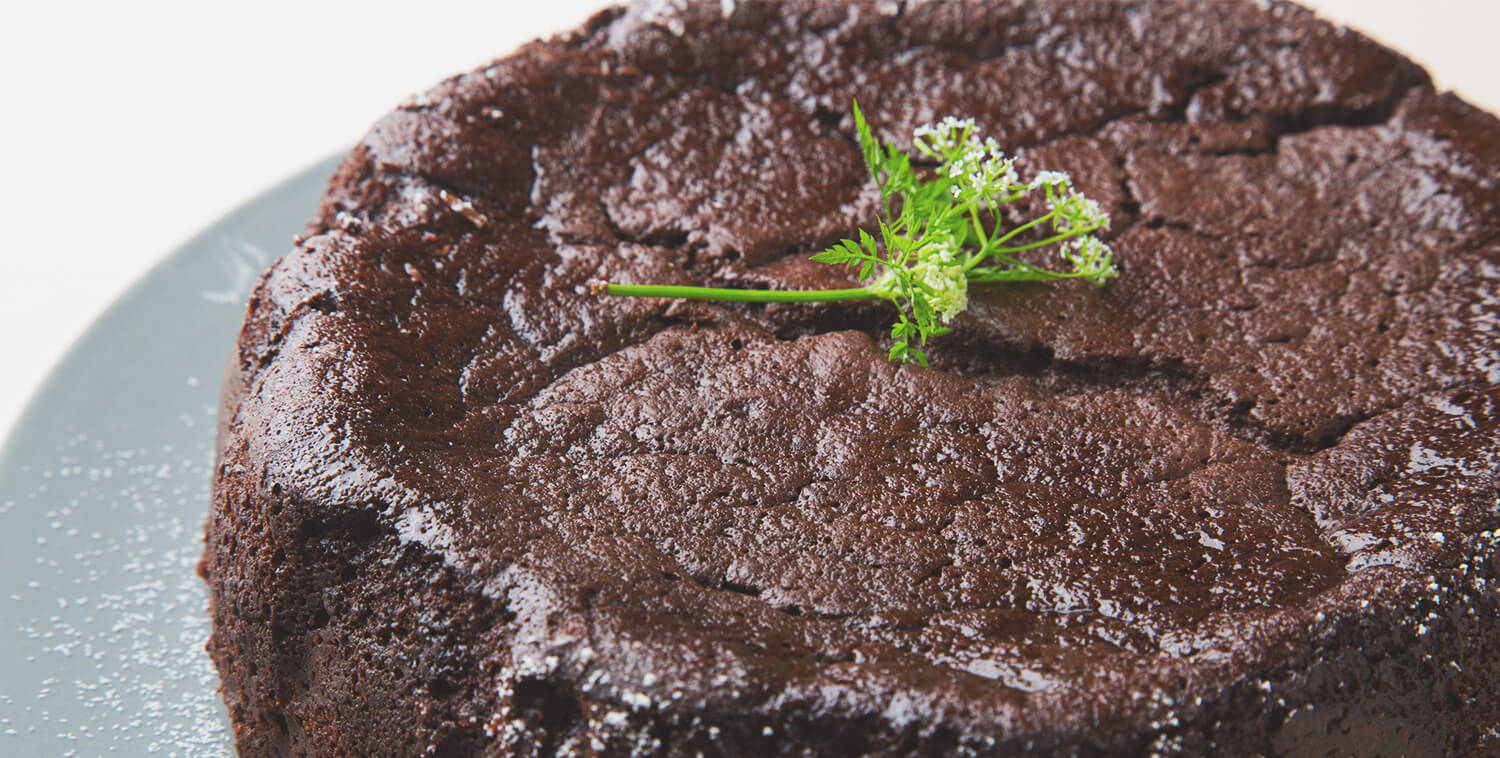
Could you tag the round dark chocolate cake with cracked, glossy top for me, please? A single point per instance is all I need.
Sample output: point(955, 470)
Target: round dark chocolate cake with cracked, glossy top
point(1240, 502)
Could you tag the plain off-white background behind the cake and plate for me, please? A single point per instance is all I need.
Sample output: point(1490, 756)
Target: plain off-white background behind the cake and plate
point(128, 127)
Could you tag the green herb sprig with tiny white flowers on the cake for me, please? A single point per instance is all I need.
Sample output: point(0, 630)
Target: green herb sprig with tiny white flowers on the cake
point(941, 235)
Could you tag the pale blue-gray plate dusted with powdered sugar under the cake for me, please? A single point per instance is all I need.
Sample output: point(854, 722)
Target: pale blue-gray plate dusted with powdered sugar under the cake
point(104, 489)
